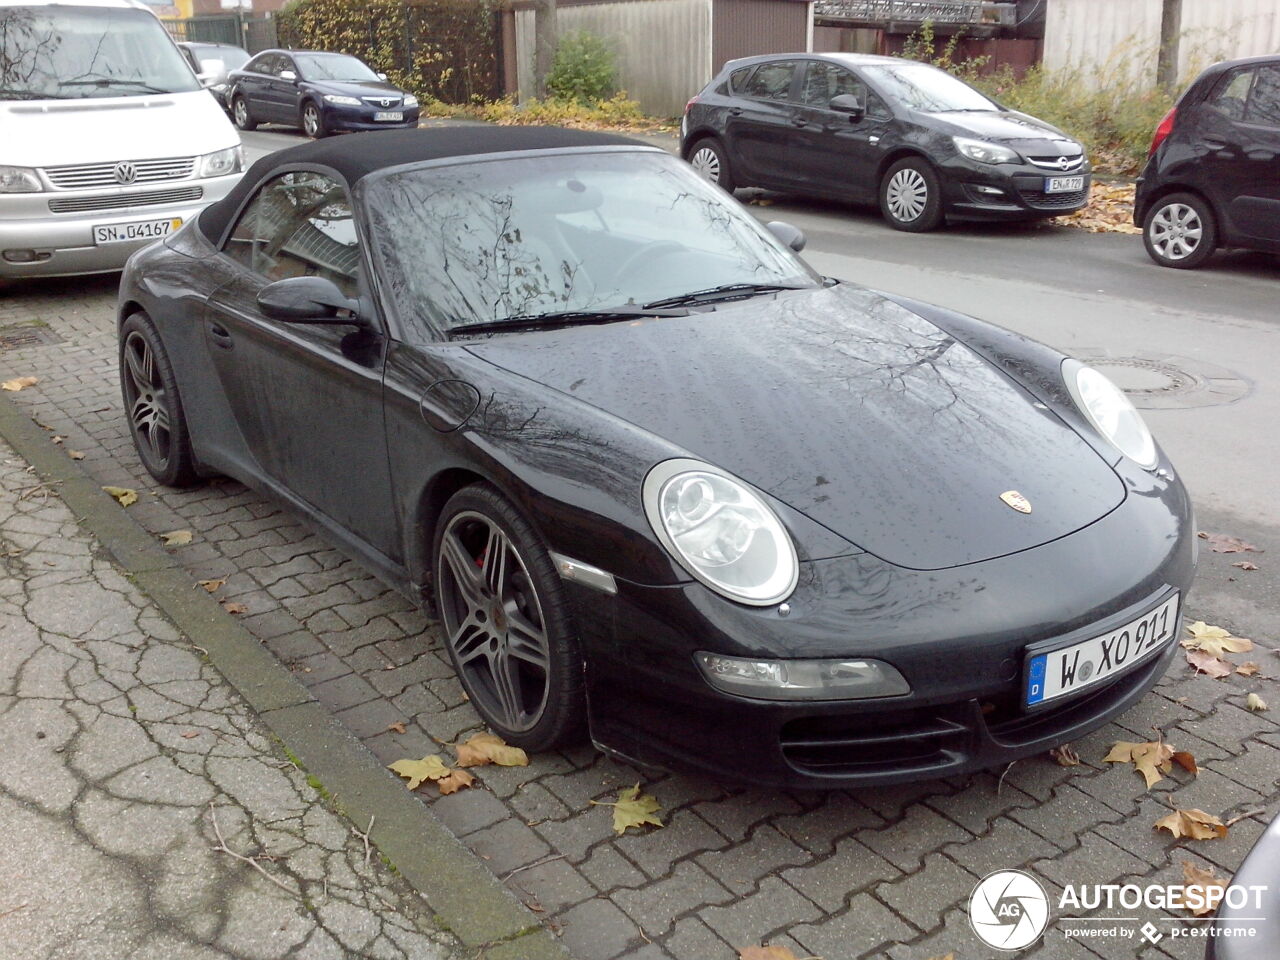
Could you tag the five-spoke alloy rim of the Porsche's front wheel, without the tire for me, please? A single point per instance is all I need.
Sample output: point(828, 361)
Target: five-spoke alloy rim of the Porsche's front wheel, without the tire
point(493, 621)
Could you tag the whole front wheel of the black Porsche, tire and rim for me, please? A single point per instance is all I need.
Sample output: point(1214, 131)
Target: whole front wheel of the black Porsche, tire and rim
point(492, 633)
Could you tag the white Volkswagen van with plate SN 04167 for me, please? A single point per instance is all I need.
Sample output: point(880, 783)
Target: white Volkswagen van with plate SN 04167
point(108, 140)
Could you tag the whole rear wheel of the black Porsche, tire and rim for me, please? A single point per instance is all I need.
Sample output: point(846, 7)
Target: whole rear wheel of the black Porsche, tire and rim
point(153, 405)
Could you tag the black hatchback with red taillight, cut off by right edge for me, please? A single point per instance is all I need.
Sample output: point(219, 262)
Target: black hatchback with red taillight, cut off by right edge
point(1213, 177)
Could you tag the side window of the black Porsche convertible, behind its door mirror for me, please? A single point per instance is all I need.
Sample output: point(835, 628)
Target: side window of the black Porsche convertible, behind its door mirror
point(300, 225)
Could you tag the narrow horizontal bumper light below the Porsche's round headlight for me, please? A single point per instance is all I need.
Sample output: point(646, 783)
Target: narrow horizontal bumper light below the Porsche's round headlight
point(802, 680)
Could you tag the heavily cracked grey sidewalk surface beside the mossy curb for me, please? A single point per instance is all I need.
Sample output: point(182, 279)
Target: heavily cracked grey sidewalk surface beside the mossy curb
point(125, 764)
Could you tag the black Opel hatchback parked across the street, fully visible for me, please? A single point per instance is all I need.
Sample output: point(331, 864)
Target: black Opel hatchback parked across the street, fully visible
point(881, 130)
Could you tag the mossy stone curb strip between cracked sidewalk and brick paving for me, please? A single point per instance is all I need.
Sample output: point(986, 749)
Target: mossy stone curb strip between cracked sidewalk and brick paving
point(465, 897)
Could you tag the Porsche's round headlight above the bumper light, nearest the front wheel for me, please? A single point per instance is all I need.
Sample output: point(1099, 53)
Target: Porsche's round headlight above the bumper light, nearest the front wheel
point(721, 532)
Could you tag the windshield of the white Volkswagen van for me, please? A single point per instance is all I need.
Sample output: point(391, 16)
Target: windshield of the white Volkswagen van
point(56, 53)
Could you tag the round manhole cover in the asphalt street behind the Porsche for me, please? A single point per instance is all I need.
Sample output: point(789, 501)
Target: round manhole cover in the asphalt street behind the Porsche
point(1165, 382)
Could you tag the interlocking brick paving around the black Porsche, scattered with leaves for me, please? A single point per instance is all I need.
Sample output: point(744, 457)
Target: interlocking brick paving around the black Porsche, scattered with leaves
point(879, 874)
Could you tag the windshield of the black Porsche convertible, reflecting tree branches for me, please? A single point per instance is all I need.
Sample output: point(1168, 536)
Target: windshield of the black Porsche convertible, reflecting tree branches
point(487, 243)
